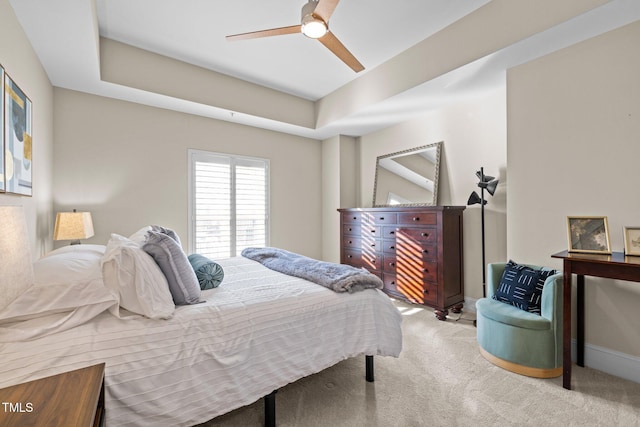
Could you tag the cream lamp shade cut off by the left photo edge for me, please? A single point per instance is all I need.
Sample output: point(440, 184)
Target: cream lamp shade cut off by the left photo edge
point(16, 269)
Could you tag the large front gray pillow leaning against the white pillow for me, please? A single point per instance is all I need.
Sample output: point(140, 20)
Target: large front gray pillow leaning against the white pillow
point(175, 266)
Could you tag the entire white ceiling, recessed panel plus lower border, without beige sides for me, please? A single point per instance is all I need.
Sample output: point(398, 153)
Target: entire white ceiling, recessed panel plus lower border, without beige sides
point(64, 36)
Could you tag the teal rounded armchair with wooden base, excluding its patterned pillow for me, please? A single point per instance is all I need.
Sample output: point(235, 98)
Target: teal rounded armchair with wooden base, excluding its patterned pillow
point(519, 341)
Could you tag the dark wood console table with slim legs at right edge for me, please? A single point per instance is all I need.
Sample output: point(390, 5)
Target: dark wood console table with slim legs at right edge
point(614, 266)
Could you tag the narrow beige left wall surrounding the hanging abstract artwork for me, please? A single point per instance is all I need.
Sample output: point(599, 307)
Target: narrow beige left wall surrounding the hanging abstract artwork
point(21, 63)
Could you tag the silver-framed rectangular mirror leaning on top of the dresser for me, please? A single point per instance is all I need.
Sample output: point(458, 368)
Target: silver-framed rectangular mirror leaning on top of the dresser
point(408, 178)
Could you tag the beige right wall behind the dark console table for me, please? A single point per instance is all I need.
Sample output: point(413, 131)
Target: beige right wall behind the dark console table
point(573, 149)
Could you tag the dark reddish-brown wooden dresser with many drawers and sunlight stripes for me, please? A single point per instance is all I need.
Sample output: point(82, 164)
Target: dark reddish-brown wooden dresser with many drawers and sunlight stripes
point(416, 251)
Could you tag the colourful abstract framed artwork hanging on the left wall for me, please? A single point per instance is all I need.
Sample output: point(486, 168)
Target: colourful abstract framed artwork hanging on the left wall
point(18, 145)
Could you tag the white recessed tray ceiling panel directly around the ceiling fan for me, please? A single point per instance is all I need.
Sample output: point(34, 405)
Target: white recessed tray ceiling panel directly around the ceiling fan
point(194, 31)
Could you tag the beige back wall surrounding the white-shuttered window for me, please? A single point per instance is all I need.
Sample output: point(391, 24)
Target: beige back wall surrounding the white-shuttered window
point(127, 164)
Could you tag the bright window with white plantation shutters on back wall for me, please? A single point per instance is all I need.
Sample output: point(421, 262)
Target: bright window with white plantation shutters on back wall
point(229, 203)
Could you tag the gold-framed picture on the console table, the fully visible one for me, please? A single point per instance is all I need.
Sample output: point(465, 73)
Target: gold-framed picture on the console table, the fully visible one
point(588, 234)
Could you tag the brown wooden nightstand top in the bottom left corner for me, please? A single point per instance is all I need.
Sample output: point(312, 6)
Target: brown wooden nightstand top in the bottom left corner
point(74, 398)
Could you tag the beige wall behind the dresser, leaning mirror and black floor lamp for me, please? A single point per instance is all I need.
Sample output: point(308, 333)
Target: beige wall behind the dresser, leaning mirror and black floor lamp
point(474, 135)
